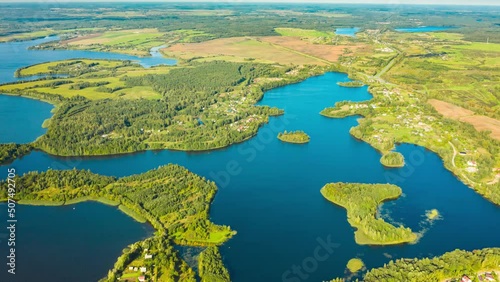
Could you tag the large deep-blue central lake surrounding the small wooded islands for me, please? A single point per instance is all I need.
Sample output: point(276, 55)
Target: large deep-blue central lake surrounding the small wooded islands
point(269, 192)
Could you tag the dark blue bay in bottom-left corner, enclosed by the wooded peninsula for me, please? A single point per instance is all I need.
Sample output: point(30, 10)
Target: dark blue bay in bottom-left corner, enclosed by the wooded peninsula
point(68, 243)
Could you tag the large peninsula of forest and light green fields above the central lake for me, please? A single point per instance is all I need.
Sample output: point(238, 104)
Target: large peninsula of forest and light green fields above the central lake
point(108, 107)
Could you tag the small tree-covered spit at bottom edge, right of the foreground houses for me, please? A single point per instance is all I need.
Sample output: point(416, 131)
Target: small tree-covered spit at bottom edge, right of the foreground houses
point(211, 267)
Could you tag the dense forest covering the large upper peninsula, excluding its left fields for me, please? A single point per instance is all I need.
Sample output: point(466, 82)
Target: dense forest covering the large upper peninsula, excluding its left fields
point(184, 119)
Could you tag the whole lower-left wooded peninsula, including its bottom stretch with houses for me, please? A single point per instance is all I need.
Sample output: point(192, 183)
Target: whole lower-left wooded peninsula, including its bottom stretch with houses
point(175, 201)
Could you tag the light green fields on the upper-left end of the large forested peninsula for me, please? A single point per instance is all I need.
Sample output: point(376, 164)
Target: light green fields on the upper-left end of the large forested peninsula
point(100, 73)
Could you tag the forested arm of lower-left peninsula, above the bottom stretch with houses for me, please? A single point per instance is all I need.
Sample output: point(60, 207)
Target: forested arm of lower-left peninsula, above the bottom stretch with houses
point(171, 198)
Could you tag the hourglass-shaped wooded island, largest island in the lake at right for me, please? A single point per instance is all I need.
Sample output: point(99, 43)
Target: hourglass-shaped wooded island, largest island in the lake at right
point(361, 202)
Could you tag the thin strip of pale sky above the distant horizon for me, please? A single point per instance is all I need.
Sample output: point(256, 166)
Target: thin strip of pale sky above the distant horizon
point(396, 2)
